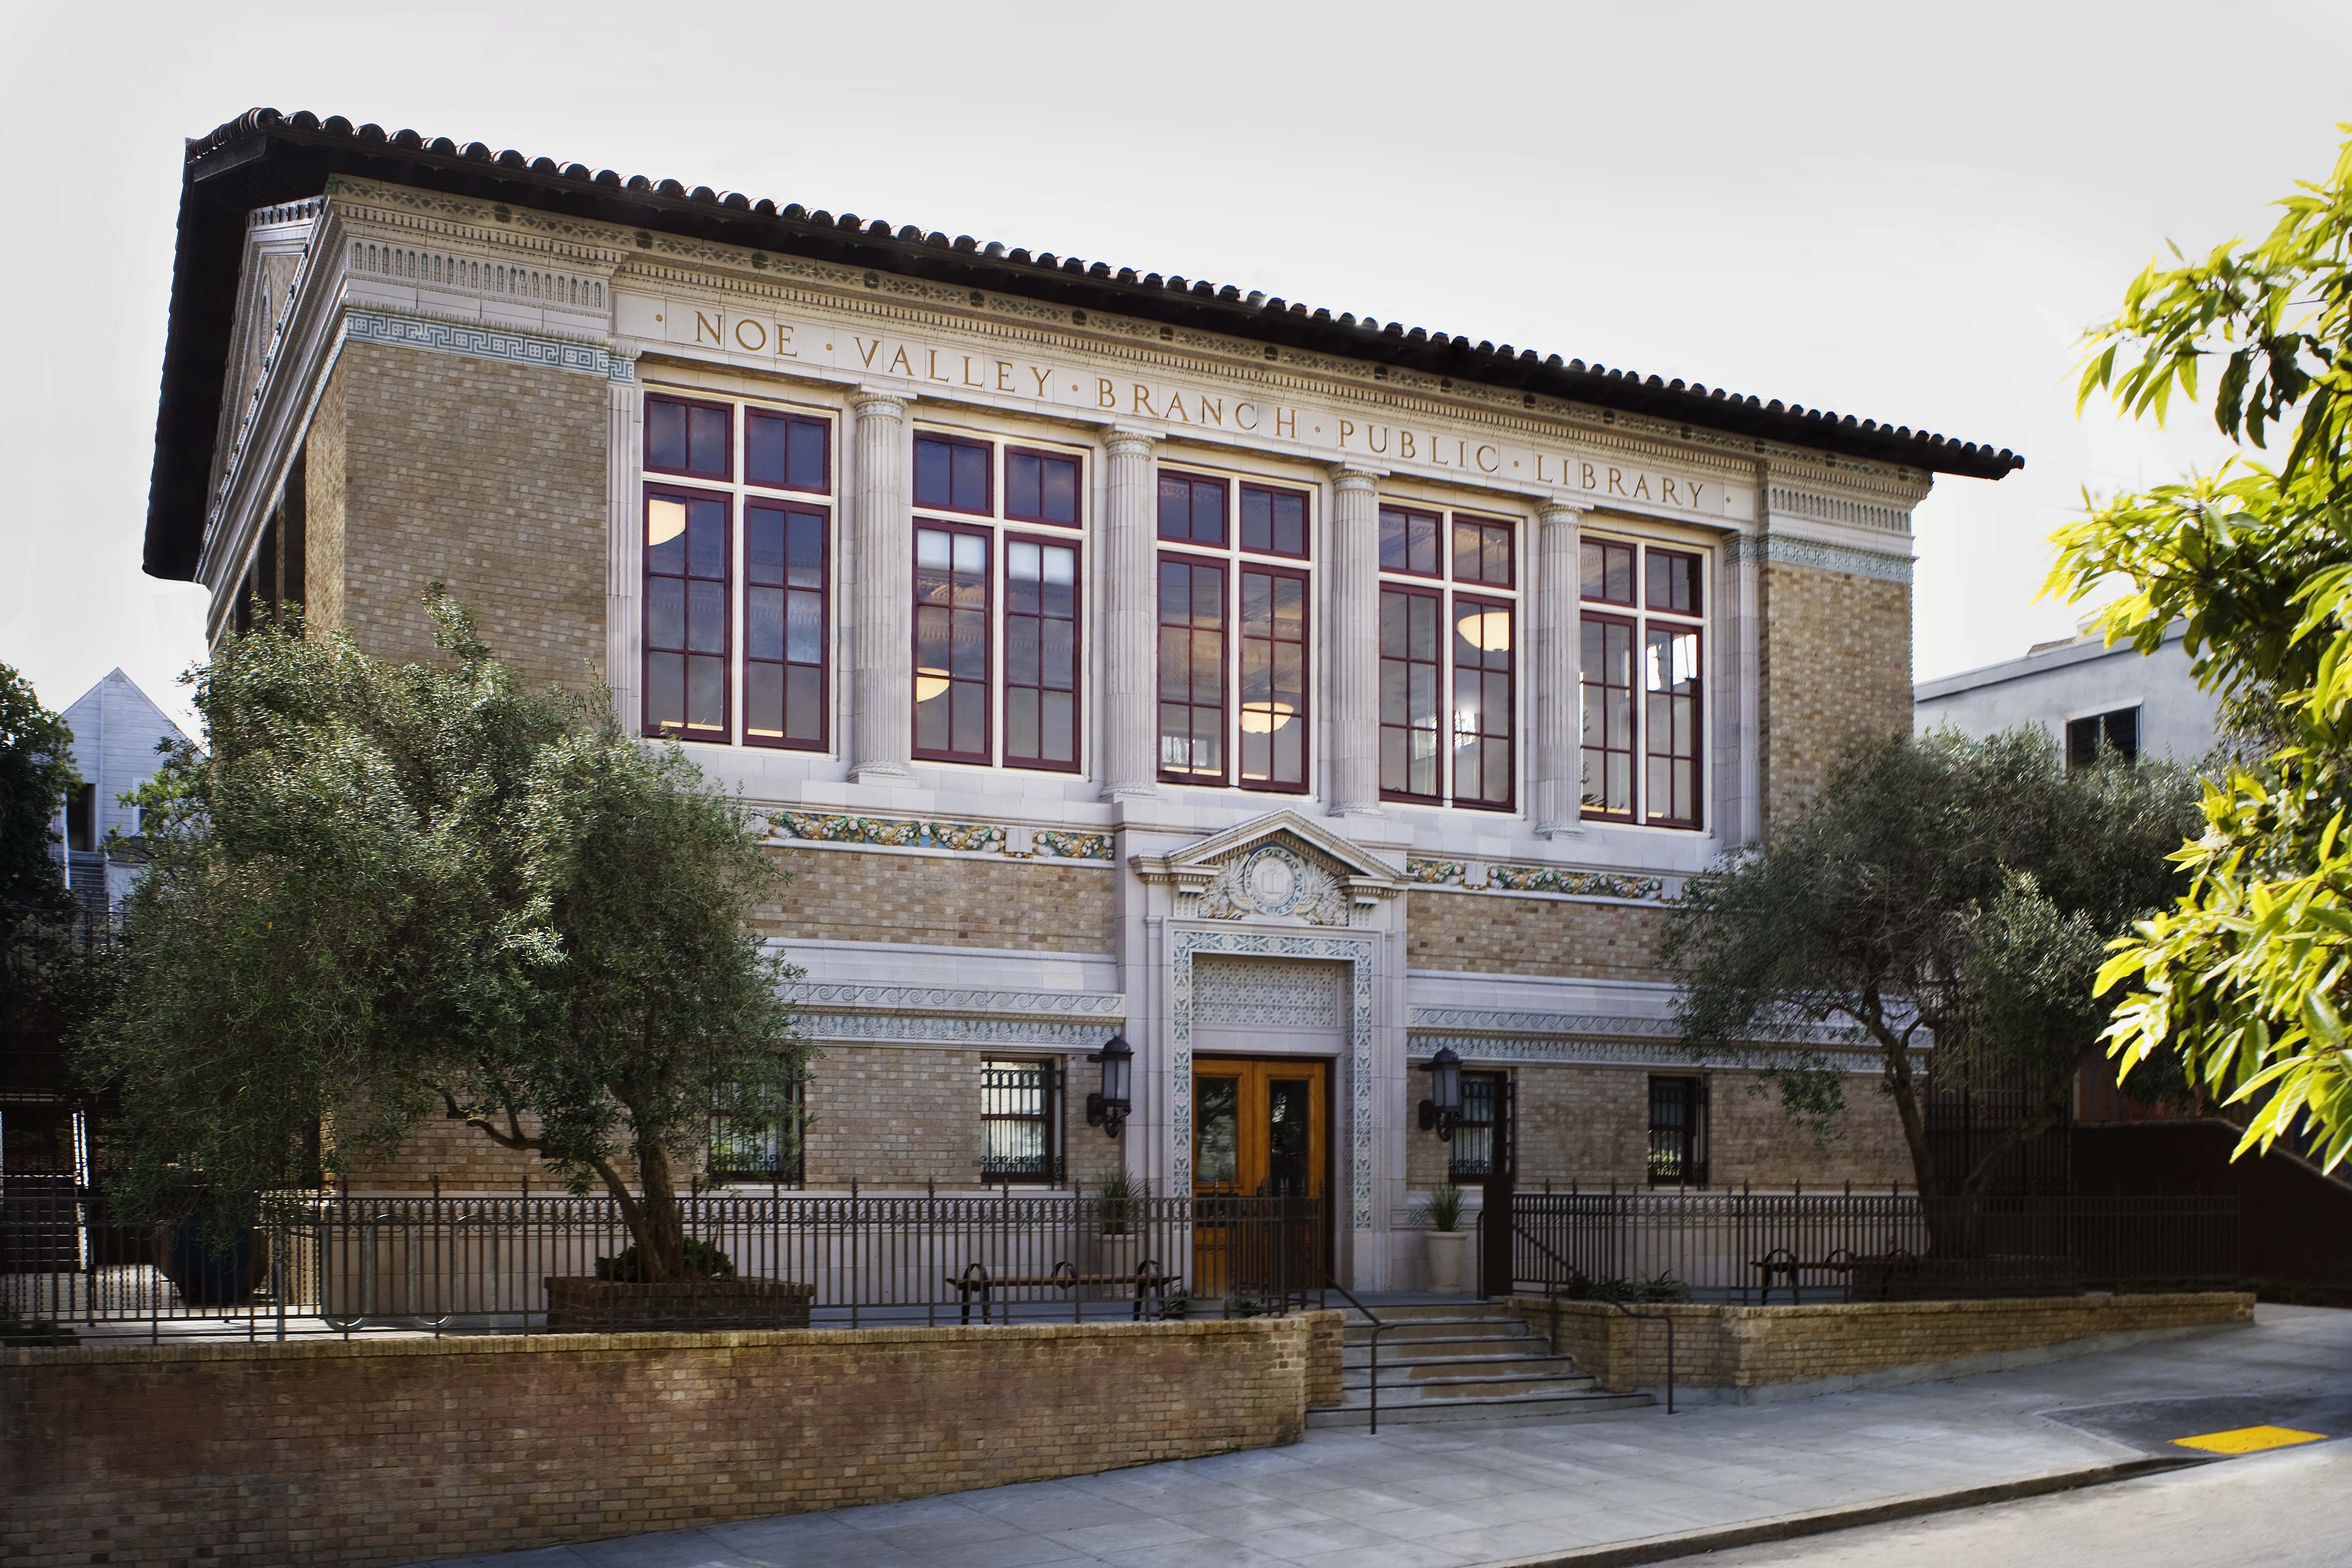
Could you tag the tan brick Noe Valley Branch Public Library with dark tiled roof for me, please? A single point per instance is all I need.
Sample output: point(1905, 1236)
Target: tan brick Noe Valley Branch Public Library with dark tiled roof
point(1111, 652)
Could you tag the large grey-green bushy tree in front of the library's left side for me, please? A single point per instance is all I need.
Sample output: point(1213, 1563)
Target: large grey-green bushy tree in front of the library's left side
point(396, 892)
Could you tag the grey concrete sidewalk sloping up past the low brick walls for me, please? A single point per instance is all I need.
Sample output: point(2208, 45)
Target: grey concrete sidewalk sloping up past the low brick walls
point(1462, 1496)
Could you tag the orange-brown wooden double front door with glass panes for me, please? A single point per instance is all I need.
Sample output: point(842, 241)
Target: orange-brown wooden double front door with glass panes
point(1259, 1134)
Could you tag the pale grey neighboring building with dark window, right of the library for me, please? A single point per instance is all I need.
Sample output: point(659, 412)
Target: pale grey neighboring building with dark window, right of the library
point(2087, 695)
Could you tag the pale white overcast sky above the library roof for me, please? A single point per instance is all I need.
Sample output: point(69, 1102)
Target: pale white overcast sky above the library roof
point(1902, 213)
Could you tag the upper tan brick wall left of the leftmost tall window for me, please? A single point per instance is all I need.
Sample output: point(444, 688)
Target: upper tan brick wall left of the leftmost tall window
point(476, 474)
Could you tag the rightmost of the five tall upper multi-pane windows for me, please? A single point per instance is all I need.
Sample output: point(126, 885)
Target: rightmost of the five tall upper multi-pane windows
point(1643, 683)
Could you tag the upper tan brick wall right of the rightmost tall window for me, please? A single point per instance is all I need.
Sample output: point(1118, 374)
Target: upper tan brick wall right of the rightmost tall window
point(1833, 666)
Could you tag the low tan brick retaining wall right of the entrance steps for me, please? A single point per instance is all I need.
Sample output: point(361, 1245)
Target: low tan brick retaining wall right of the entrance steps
point(1744, 1348)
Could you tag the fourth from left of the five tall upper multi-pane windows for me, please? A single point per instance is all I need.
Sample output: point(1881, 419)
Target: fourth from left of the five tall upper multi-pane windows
point(1448, 659)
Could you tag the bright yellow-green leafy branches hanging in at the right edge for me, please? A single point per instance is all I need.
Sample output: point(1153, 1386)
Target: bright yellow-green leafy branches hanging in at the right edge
point(2240, 981)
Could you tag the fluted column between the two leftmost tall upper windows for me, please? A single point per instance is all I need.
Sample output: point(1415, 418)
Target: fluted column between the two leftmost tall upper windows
point(881, 598)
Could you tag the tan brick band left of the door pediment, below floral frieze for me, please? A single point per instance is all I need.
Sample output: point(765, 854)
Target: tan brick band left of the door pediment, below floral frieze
point(937, 902)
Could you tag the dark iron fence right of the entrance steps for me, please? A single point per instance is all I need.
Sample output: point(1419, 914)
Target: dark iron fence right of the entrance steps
point(1796, 1247)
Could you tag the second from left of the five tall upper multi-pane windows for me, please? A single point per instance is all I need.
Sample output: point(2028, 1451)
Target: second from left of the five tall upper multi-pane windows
point(996, 610)
